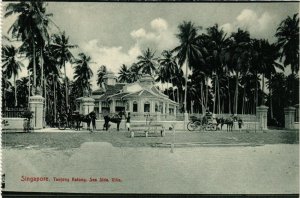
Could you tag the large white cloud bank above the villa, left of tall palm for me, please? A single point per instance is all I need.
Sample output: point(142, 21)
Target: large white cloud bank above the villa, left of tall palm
point(159, 38)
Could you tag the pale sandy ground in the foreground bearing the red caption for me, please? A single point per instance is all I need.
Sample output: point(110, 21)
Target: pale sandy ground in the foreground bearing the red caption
point(262, 169)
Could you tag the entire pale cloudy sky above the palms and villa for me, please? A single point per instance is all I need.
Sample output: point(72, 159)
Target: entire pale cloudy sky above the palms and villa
point(116, 33)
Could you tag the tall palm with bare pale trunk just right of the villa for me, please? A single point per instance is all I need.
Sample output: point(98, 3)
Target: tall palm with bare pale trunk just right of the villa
point(188, 51)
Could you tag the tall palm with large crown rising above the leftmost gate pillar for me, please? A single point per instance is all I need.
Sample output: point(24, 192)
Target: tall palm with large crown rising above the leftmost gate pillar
point(30, 25)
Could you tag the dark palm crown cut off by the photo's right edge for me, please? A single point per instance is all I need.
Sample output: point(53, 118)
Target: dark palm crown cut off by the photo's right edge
point(288, 39)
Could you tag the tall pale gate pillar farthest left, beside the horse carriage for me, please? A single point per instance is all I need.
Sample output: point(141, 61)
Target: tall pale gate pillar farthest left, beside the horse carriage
point(36, 106)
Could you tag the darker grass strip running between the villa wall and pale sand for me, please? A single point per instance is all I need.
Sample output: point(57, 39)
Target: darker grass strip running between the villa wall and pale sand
point(68, 140)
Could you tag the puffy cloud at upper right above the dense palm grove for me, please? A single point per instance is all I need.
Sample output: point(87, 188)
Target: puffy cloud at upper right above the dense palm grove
point(259, 25)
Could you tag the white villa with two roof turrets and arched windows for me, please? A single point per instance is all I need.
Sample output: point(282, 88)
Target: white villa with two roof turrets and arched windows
point(140, 98)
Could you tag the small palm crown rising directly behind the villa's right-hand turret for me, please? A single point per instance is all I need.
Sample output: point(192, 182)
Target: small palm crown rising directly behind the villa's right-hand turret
point(147, 62)
